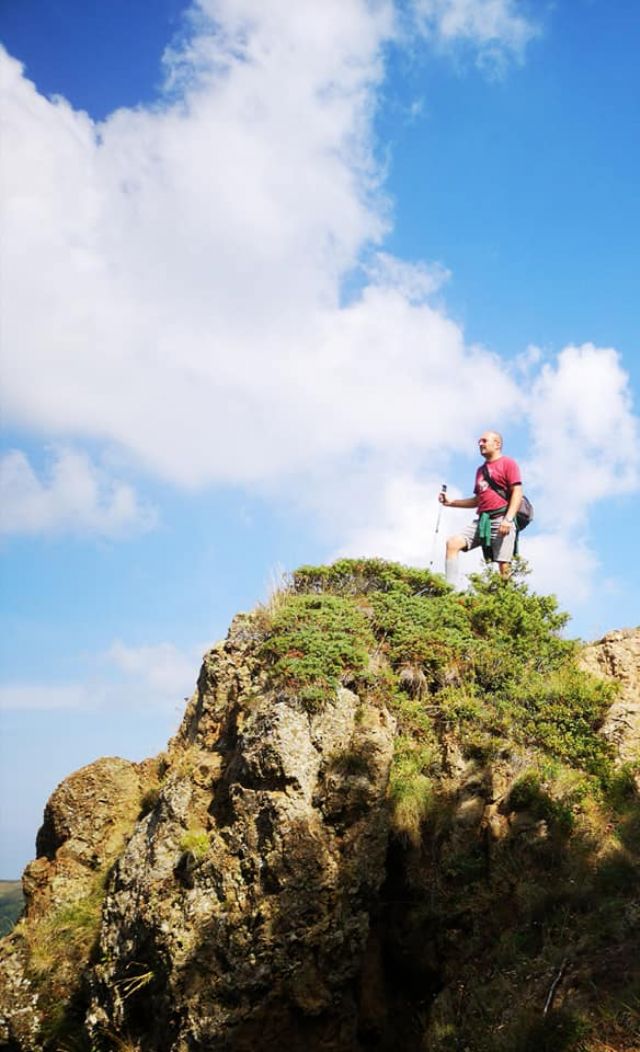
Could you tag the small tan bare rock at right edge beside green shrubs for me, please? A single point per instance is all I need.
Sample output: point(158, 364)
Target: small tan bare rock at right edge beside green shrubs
point(617, 656)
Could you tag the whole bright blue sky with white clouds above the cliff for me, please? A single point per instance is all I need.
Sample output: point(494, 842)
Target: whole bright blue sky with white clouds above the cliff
point(269, 271)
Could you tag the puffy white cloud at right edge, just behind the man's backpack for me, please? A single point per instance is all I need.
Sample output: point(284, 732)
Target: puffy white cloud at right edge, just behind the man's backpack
point(585, 451)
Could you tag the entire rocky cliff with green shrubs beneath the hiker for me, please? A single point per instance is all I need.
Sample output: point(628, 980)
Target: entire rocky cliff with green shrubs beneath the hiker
point(393, 818)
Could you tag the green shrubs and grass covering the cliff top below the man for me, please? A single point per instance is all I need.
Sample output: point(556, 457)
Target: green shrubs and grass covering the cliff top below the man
point(490, 669)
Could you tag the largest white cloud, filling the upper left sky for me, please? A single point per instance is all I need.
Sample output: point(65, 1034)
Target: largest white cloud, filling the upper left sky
point(176, 274)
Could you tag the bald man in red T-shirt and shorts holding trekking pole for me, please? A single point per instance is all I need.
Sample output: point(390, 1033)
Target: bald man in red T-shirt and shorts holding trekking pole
point(495, 527)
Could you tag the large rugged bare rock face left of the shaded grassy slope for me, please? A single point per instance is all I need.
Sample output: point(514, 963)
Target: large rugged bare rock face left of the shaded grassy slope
point(242, 903)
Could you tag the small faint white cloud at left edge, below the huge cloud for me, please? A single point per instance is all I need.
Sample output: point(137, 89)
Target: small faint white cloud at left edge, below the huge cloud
point(75, 497)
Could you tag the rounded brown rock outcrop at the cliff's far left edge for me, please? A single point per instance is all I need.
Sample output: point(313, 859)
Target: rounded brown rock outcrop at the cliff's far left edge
point(87, 821)
